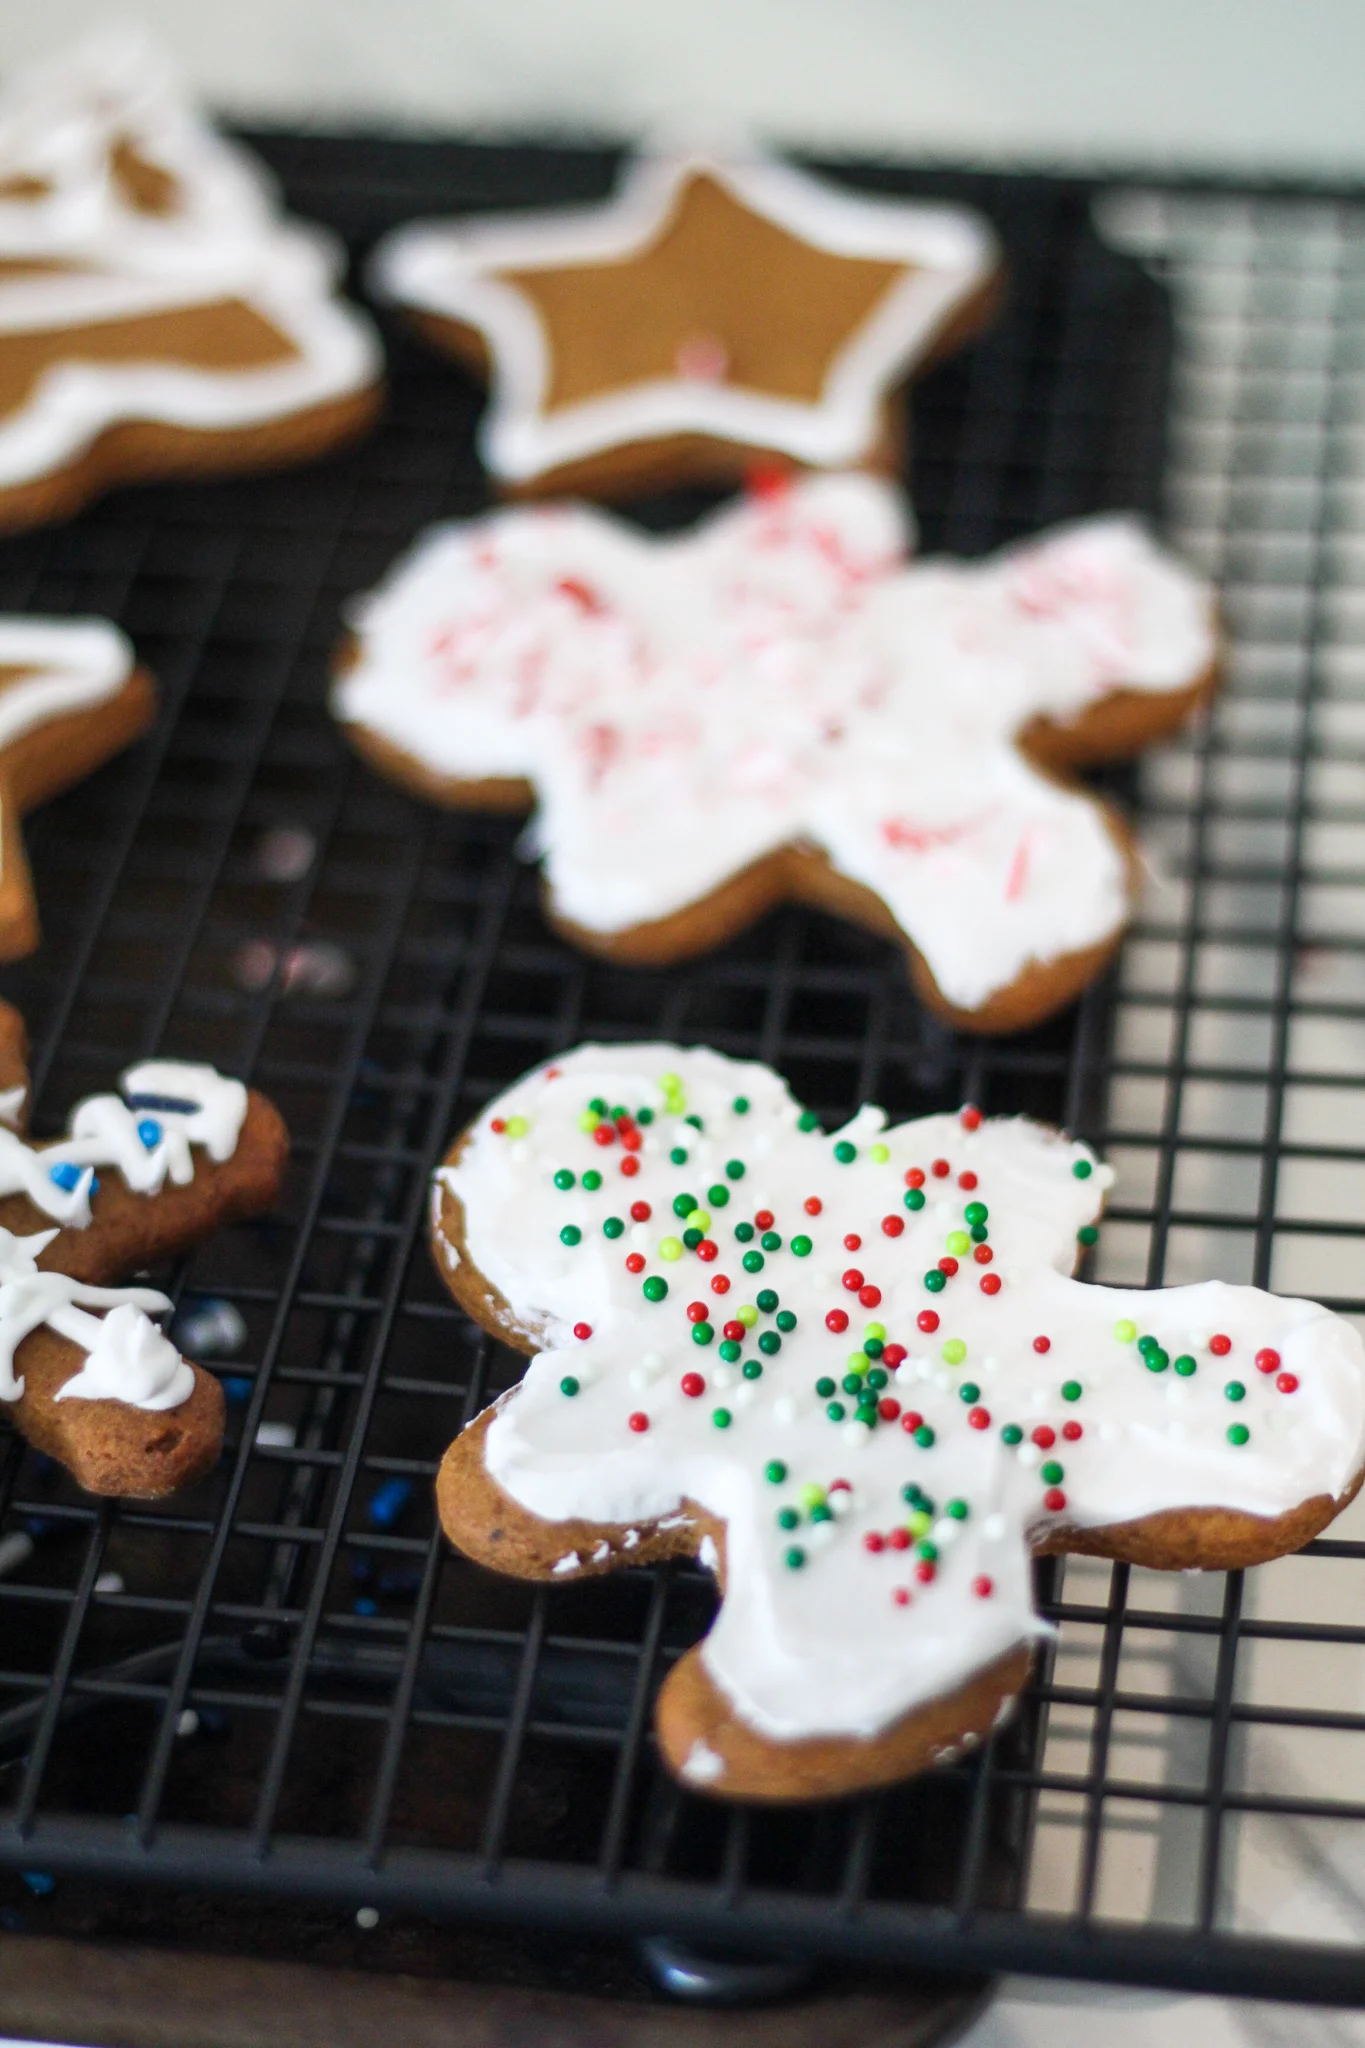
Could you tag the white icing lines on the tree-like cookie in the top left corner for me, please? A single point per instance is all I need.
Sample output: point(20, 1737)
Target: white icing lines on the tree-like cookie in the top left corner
point(218, 239)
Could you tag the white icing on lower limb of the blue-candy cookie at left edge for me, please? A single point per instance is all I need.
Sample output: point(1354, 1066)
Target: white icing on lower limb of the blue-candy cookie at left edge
point(128, 1359)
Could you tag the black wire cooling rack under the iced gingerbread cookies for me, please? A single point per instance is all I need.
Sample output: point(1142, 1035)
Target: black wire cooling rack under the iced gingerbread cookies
point(283, 1684)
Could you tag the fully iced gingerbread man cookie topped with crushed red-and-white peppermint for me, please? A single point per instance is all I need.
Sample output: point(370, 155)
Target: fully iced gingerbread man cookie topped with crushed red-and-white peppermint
point(781, 706)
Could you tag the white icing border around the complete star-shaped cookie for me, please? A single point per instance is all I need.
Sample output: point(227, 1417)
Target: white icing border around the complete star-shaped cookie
point(453, 269)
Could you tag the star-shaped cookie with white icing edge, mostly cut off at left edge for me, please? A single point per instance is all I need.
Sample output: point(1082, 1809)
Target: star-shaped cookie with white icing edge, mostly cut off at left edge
point(71, 695)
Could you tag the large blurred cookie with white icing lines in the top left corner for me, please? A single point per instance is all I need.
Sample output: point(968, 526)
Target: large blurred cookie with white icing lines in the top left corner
point(157, 312)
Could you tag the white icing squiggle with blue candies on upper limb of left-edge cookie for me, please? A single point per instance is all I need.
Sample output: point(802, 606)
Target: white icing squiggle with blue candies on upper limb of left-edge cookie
point(167, 1107)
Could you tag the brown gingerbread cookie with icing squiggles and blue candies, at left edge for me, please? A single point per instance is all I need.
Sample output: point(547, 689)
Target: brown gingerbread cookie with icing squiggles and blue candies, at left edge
point(85, 1373)
